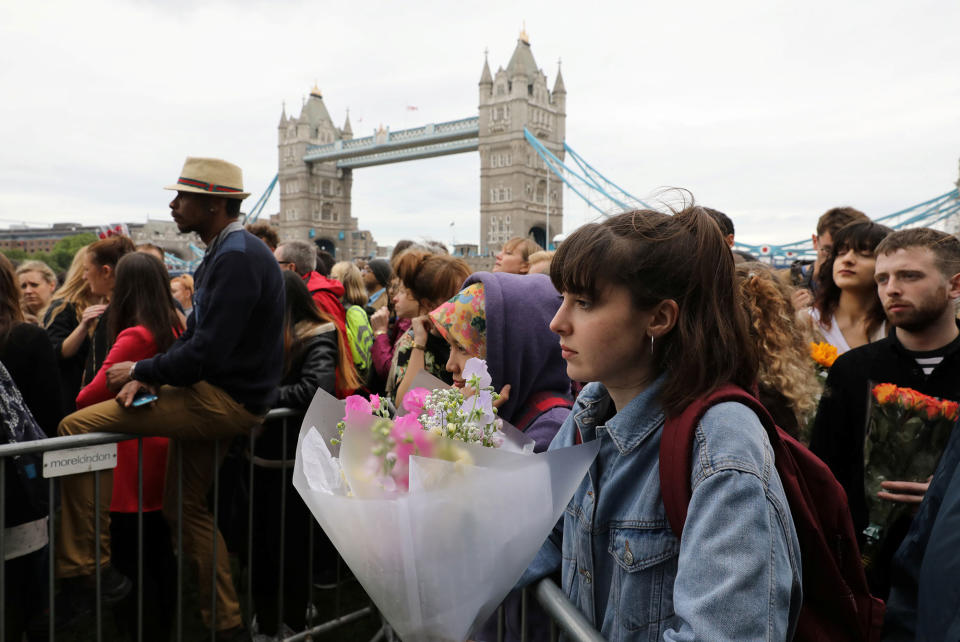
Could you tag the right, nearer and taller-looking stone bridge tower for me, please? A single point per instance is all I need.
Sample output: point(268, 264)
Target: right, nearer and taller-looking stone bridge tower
point(516, 192)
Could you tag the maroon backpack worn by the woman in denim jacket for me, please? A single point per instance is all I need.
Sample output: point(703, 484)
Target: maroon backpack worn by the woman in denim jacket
point(837, 604)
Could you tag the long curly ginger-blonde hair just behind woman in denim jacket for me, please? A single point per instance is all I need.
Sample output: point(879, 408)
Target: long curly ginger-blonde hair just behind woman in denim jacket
point(786, 377)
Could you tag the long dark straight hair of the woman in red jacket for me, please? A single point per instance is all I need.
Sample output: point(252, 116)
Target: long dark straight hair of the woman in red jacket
point(141, 296)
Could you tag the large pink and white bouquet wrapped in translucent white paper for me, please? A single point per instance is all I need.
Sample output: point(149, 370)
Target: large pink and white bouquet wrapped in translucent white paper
point(434, 520)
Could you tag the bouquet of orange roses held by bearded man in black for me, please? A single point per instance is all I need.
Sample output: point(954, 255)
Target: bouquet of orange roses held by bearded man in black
point(906, 434)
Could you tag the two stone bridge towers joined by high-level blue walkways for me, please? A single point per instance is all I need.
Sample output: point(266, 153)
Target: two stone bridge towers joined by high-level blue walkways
point(517, 197)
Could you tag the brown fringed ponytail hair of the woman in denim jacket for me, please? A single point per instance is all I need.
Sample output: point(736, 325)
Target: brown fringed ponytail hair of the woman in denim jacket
point(657, 257)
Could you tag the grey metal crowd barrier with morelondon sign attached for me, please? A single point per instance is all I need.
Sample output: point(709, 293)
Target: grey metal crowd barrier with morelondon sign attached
point(562, 612)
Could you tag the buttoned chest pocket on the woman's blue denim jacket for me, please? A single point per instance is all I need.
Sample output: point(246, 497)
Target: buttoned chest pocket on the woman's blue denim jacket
point(642, 586)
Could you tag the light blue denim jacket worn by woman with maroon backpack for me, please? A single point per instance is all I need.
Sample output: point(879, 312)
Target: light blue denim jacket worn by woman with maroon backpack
point(735, 574)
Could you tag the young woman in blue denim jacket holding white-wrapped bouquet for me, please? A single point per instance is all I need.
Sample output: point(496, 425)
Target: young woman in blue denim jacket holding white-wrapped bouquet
point(650, 316)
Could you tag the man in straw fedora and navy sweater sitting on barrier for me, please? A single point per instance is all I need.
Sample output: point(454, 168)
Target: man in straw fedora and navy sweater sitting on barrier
point(216, 382)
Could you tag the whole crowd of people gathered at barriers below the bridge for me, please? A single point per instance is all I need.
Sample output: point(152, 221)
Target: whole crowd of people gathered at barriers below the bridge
point(610, 338)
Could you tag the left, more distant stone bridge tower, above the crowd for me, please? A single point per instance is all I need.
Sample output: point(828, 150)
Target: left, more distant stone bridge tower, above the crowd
point(315, 197)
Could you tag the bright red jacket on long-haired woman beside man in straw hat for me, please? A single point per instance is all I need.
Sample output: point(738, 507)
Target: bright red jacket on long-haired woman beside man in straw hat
point(133, 344)
